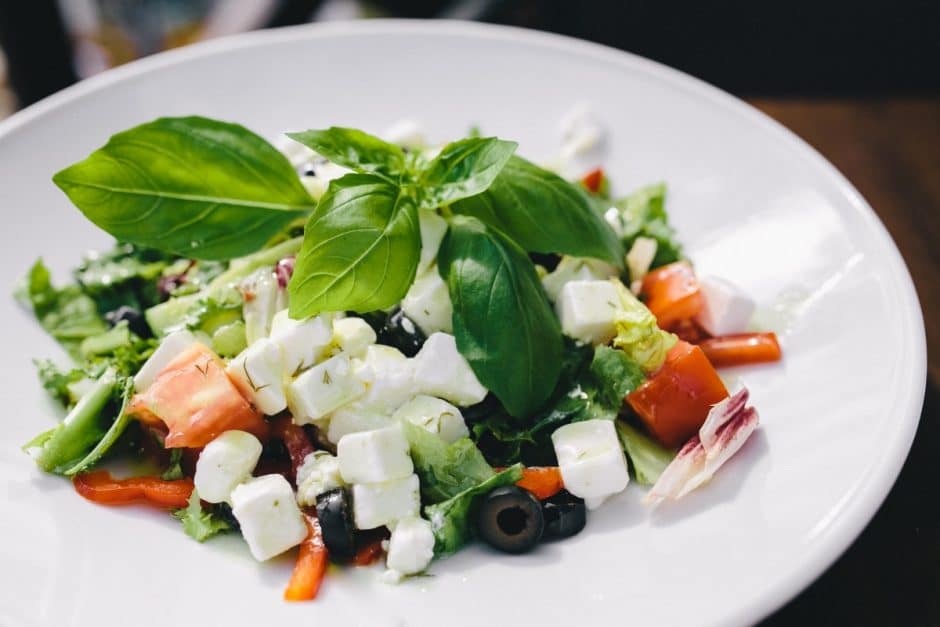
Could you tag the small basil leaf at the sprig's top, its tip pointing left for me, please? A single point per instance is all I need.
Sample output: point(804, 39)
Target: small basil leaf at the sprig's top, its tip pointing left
point(354, 149)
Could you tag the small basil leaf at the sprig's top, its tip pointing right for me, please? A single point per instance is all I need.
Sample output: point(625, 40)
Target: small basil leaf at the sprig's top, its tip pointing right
point(464, 168)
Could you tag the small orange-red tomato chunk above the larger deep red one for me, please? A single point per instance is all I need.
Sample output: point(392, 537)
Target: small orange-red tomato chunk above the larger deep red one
point(672, 293)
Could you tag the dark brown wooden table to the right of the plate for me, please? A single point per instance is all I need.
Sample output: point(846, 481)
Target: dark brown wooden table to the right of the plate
point(890, 150)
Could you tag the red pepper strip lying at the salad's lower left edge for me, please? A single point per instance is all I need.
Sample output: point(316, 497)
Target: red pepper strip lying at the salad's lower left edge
point(100, 487)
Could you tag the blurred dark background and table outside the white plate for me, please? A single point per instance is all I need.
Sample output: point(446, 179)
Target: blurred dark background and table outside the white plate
point(859, 80)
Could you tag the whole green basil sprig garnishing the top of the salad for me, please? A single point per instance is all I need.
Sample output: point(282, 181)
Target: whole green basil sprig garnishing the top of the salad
point(213, 190)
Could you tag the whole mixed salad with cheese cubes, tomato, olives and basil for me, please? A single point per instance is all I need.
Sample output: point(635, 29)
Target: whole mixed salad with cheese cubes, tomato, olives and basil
point(365, 349)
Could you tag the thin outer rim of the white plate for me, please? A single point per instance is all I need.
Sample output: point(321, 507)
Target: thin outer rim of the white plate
point(859, 507)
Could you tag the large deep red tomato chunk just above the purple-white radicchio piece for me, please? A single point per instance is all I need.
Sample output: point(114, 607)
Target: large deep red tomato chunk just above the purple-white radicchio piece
point(675, 401)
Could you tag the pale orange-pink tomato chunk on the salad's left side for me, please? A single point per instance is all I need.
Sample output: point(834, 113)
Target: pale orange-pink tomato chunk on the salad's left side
point(196, 400)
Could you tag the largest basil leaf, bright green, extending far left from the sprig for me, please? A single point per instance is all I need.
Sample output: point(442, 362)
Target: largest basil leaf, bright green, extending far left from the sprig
point(191, 186)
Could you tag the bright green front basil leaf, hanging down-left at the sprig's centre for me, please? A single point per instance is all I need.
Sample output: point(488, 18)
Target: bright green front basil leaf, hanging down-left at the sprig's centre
point(361, 249)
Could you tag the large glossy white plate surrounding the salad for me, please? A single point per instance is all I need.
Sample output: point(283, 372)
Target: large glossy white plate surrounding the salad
point(753, 203)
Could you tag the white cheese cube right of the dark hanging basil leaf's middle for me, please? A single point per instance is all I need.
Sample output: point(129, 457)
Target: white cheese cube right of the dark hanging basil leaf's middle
point(587, 310)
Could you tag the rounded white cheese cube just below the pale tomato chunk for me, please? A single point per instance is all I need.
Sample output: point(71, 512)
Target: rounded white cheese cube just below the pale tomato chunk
point(224, 463)
